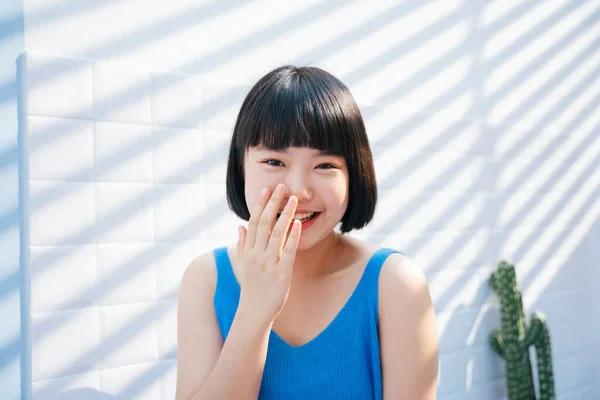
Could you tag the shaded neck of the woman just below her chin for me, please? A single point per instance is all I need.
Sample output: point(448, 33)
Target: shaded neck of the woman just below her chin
point(316, 261)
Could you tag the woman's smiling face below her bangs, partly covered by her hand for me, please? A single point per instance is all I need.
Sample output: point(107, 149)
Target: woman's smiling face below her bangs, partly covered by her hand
point(319, 181)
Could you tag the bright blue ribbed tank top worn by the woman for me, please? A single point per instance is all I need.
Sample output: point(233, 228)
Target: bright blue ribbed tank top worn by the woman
point(342, 362)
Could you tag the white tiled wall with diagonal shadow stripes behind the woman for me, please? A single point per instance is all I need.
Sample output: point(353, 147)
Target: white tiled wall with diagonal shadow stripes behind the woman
point(483, 120)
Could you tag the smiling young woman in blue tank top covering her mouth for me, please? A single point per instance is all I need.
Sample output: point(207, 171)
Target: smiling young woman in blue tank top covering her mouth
point(297, 309)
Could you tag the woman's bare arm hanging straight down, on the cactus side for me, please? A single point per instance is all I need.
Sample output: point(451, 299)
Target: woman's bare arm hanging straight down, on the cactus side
point(409, 342)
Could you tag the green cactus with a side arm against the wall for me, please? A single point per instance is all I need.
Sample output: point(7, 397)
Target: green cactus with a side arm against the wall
point(514, 338)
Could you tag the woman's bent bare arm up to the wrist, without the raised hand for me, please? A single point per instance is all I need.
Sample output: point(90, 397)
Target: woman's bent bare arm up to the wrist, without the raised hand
point(207, 368)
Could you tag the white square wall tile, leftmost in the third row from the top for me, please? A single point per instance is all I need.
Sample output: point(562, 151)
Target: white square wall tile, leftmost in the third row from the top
point(61, 213)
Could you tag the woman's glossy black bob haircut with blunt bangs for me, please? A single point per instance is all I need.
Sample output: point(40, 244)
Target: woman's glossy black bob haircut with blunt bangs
point(304, 107)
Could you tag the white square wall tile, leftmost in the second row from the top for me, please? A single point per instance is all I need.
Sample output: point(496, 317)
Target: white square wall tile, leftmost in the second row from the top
point(60, 149)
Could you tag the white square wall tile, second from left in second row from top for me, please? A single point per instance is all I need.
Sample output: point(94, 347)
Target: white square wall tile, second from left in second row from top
point(123, 152)
